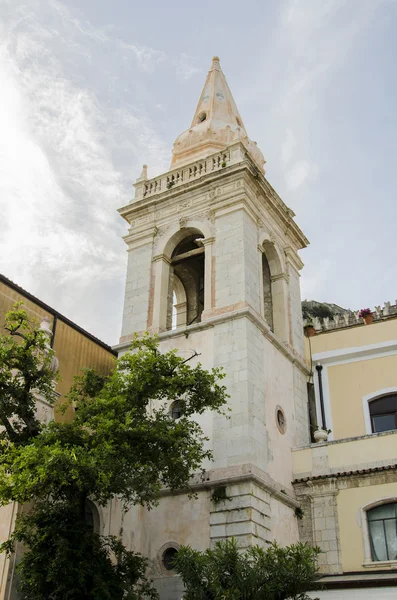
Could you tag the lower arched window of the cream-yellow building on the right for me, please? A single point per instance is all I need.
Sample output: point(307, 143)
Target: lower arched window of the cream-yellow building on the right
point(382, 526)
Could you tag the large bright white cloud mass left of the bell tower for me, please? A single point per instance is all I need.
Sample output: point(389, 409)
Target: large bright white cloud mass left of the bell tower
point(63, 153)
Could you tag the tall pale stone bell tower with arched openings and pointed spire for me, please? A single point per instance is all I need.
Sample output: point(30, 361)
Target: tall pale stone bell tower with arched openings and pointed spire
point(213, 266)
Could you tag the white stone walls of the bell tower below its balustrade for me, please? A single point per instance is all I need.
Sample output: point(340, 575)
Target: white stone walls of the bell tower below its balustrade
point(252, 458)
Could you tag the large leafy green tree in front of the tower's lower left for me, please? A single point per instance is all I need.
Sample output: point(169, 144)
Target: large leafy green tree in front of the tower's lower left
point(123, 442)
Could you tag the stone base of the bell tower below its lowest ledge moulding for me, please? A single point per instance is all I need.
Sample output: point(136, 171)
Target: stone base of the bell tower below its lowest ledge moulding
point(240, 502)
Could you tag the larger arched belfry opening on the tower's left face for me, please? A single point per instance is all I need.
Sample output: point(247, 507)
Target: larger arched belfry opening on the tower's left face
point(186, 283)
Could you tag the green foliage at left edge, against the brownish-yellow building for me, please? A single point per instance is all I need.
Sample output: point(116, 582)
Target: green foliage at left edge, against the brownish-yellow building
point(25, 373)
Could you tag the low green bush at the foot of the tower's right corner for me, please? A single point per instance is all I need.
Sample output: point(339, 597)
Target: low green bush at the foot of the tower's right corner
point(225, 573)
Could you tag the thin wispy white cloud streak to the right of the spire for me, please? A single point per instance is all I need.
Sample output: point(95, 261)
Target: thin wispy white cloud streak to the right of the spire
point(313, 43)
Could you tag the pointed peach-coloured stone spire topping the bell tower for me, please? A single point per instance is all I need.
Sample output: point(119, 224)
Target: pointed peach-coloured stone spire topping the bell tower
point(216, 124)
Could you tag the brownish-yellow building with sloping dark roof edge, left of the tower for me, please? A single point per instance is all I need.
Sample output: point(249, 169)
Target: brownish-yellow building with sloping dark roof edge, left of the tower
point(75, 349)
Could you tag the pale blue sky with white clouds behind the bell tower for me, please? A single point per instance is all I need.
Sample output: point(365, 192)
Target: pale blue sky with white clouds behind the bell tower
point(90, 90)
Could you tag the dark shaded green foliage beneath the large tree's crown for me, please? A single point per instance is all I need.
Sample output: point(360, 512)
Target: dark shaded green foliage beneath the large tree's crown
point(68, 561)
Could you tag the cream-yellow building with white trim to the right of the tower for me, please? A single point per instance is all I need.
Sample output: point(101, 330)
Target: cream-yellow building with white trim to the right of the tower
point(347, 485)
